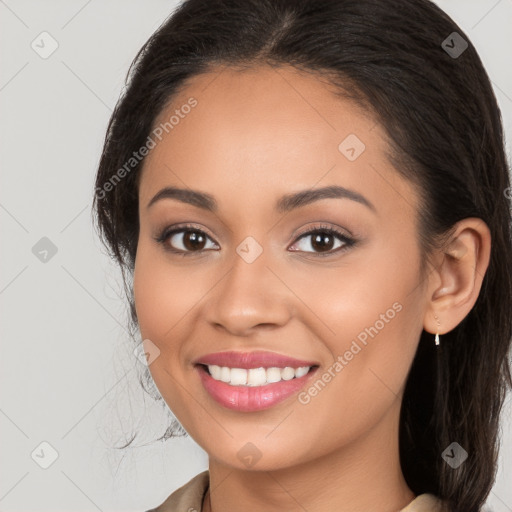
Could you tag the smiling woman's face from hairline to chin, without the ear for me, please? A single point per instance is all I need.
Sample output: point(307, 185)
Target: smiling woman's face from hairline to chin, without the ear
point(247, 278)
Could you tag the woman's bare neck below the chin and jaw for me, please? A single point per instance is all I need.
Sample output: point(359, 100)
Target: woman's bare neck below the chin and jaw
point(361, 476)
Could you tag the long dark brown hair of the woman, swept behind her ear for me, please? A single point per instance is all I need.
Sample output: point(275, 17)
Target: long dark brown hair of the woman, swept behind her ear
point(396, 59)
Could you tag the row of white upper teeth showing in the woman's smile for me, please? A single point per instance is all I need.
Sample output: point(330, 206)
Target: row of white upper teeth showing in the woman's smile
point(255, 376)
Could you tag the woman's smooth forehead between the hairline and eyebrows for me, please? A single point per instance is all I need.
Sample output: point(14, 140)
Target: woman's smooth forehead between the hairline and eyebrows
point(259, 133)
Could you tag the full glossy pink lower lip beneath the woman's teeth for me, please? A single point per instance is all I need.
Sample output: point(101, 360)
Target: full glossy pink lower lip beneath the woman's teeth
point(251, 398)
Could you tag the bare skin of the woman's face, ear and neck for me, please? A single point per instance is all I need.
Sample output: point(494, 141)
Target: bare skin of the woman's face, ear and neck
point(253, 137)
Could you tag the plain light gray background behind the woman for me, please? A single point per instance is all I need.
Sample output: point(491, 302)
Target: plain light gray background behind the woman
point(68, 375)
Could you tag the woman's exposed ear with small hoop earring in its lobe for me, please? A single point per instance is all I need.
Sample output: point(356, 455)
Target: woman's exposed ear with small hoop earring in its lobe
point(457, 278)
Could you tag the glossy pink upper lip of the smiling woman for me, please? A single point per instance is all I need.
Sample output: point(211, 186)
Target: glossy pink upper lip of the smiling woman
point(254, 359)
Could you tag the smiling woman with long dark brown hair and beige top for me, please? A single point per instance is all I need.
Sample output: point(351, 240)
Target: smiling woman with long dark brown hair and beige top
point(310, 203)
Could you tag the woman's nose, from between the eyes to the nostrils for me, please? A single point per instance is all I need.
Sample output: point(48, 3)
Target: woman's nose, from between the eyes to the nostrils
point(249, 297)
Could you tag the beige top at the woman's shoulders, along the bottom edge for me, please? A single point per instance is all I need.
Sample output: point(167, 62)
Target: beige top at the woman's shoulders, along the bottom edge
point(189, 498)
